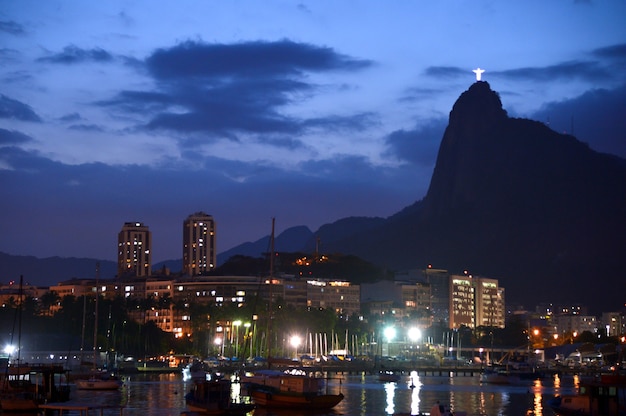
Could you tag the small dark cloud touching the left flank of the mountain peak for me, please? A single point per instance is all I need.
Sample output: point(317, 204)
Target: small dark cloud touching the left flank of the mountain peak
point(418, 146)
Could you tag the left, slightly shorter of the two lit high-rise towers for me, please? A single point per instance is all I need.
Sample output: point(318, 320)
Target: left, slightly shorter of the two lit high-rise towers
point(134, 244)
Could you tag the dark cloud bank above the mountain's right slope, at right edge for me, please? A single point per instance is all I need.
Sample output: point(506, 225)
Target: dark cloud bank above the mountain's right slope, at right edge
point(597, 118)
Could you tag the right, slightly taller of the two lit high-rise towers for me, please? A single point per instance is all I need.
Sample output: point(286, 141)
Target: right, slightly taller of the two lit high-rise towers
point(199, 252)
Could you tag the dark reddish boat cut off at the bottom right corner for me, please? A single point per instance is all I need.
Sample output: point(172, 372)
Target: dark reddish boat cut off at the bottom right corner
point(605, 396)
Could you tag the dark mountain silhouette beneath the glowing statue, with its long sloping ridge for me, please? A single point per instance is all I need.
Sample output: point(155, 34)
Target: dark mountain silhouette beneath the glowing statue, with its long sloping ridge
point(509, 199)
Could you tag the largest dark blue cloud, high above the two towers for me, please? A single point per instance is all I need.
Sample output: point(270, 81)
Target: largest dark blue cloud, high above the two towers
point(225, 90)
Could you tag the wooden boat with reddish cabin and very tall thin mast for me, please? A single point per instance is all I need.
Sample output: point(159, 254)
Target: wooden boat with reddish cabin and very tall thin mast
point(292, 388)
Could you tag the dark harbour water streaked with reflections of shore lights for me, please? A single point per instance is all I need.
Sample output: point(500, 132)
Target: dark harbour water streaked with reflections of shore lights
point(163, 395)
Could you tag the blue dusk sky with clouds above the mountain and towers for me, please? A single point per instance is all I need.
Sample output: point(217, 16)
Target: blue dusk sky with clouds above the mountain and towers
point(308, 112)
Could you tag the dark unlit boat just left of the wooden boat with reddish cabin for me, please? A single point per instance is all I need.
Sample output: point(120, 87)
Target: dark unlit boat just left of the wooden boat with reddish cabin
point(213, 397)
